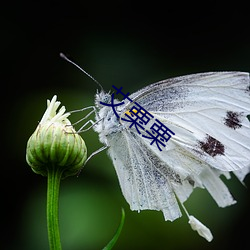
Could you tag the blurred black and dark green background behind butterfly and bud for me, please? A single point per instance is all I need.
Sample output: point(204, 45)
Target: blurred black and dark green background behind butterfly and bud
point(123, 43)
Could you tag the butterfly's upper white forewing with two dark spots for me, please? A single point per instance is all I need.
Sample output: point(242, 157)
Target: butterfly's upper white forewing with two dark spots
point(208, 113)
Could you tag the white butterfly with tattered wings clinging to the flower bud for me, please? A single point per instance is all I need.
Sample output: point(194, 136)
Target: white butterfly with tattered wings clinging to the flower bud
point(207, 114)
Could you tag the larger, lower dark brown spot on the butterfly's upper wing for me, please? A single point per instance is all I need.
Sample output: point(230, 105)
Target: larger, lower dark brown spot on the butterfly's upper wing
point(212, 146)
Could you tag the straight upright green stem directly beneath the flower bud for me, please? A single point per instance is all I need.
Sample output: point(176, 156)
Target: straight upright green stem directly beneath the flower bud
point(54, 177)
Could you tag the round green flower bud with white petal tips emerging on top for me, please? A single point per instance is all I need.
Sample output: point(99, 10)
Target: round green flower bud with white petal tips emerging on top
point(55, 143)
